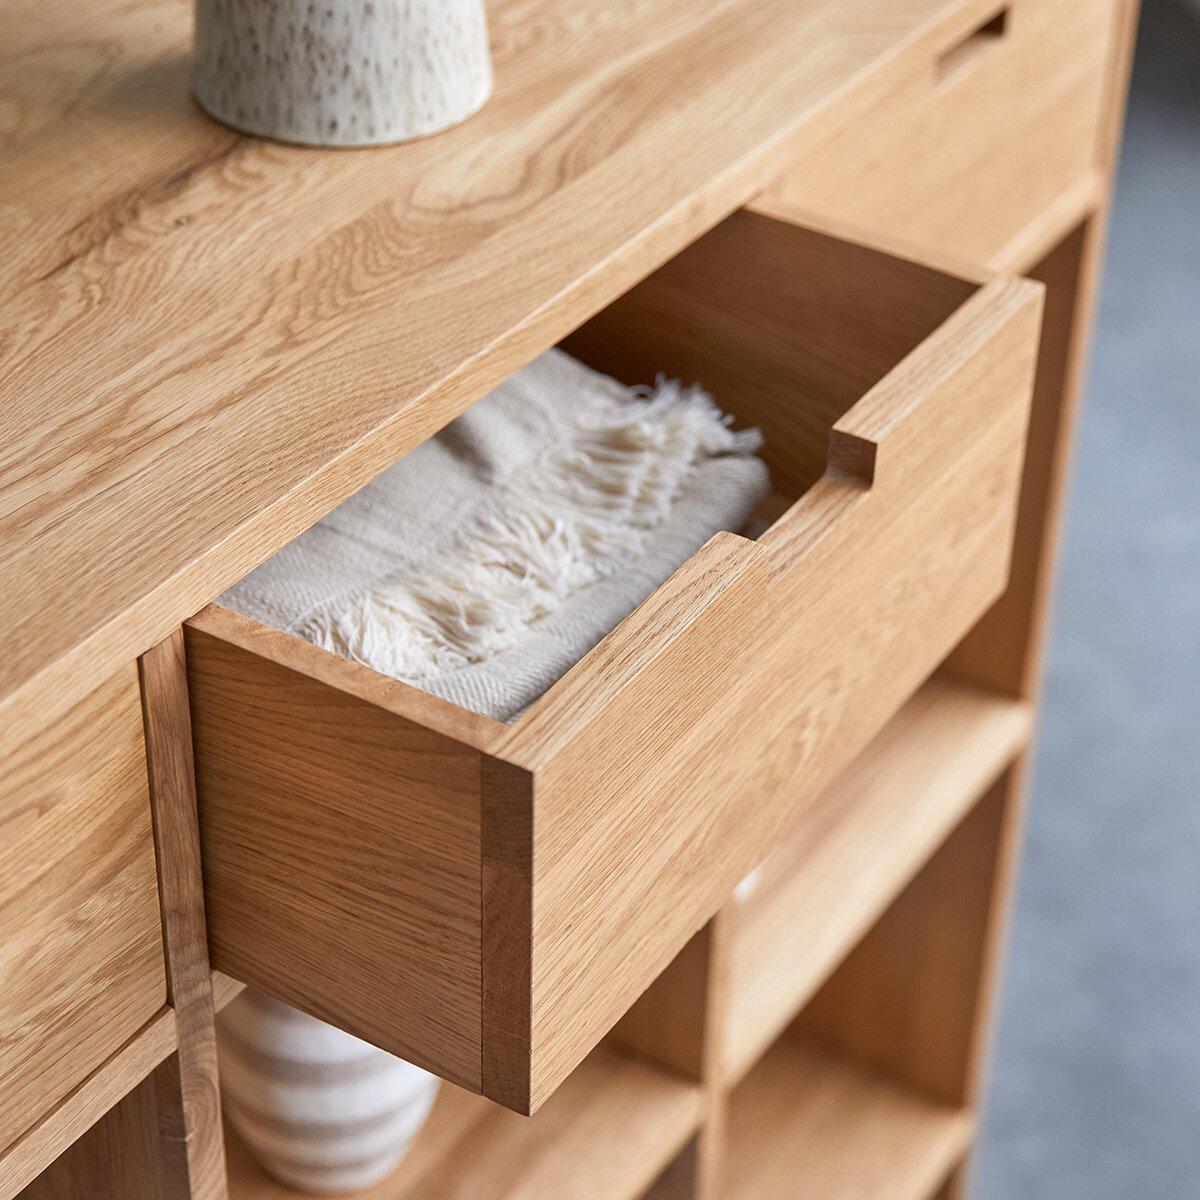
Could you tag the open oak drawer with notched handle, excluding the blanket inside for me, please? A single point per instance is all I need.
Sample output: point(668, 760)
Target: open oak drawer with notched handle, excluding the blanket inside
point(488, 901)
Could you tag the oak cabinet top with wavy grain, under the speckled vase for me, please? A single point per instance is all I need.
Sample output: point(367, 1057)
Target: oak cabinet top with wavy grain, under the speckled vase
point(209, 341)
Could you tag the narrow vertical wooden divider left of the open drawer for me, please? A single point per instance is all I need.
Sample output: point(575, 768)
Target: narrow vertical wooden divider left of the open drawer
point(187, 1088)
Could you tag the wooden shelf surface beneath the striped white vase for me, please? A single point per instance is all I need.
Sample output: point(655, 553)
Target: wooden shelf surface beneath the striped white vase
point(607, 1135)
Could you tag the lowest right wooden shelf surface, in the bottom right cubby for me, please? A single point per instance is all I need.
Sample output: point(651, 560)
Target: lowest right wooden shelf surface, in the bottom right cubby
point(806, 1125)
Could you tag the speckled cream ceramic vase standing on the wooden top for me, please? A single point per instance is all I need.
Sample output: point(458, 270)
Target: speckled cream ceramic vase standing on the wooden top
point(341, 73)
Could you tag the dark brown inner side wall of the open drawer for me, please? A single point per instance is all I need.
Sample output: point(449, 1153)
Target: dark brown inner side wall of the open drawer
point(788, 328)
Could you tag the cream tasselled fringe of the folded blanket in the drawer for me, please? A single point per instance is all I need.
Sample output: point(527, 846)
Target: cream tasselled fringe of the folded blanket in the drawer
point(569, 519)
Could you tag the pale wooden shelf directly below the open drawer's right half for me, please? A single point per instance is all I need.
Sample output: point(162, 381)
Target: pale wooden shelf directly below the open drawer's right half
point(855, 850)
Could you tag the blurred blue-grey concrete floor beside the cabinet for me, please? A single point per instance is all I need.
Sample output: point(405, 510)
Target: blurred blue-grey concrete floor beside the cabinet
point(1096, 1087)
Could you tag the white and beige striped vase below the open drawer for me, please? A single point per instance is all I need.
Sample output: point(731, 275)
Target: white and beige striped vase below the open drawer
point(323, 1112)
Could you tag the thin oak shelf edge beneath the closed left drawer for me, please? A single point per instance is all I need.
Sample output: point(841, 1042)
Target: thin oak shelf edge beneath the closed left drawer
point(104, 1089)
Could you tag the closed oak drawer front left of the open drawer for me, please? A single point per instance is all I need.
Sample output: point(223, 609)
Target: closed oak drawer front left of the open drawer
point(81, 933)
